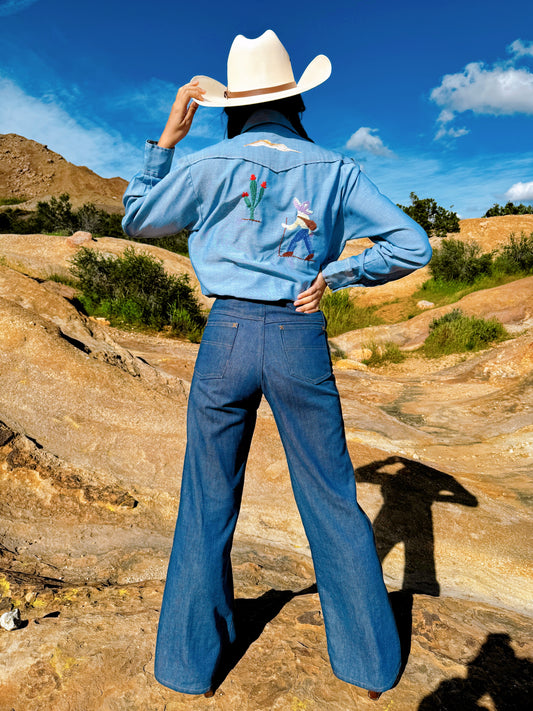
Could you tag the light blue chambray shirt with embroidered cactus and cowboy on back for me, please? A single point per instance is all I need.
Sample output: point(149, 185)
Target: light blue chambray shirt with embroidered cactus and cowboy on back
point(267, 210)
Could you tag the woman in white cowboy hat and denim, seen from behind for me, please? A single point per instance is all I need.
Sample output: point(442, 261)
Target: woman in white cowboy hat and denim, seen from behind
point(269, 213)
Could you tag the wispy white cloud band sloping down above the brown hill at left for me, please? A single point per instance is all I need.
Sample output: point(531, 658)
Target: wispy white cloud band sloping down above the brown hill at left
point(101, 148)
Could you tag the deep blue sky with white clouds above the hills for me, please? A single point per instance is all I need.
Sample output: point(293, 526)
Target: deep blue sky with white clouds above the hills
point(435, 98)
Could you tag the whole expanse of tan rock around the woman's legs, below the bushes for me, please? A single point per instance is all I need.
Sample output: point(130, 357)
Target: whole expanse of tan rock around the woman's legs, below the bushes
point(90, 457)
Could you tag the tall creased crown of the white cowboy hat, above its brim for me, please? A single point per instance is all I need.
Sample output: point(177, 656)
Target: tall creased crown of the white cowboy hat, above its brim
point(258, 63)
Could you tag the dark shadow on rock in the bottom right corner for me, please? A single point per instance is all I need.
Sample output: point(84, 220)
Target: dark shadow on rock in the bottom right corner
point(496, 672)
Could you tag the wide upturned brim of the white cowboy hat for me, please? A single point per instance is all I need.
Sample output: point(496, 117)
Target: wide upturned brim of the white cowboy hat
point(316, 73)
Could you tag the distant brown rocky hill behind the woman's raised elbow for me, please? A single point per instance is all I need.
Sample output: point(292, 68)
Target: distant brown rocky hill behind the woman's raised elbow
point(31, 170)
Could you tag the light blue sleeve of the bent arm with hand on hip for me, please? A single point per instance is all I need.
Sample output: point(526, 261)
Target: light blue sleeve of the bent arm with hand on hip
point(400, 244)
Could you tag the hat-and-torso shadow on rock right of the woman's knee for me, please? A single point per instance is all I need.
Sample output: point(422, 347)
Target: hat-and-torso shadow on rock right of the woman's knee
point(409, 489)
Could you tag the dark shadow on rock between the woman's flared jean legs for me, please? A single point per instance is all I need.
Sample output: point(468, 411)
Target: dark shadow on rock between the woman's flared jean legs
point(251, 615)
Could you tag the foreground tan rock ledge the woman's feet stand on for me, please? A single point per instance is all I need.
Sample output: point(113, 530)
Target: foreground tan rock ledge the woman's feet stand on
point(97, 653)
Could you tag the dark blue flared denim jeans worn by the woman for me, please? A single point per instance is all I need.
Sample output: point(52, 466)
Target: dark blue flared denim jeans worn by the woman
point(250, 349)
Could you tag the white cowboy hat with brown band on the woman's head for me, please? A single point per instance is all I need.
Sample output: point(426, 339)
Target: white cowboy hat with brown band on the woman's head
point(260, 70)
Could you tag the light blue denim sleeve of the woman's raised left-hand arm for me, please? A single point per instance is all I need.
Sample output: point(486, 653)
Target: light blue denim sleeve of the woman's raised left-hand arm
point(159, 202)
